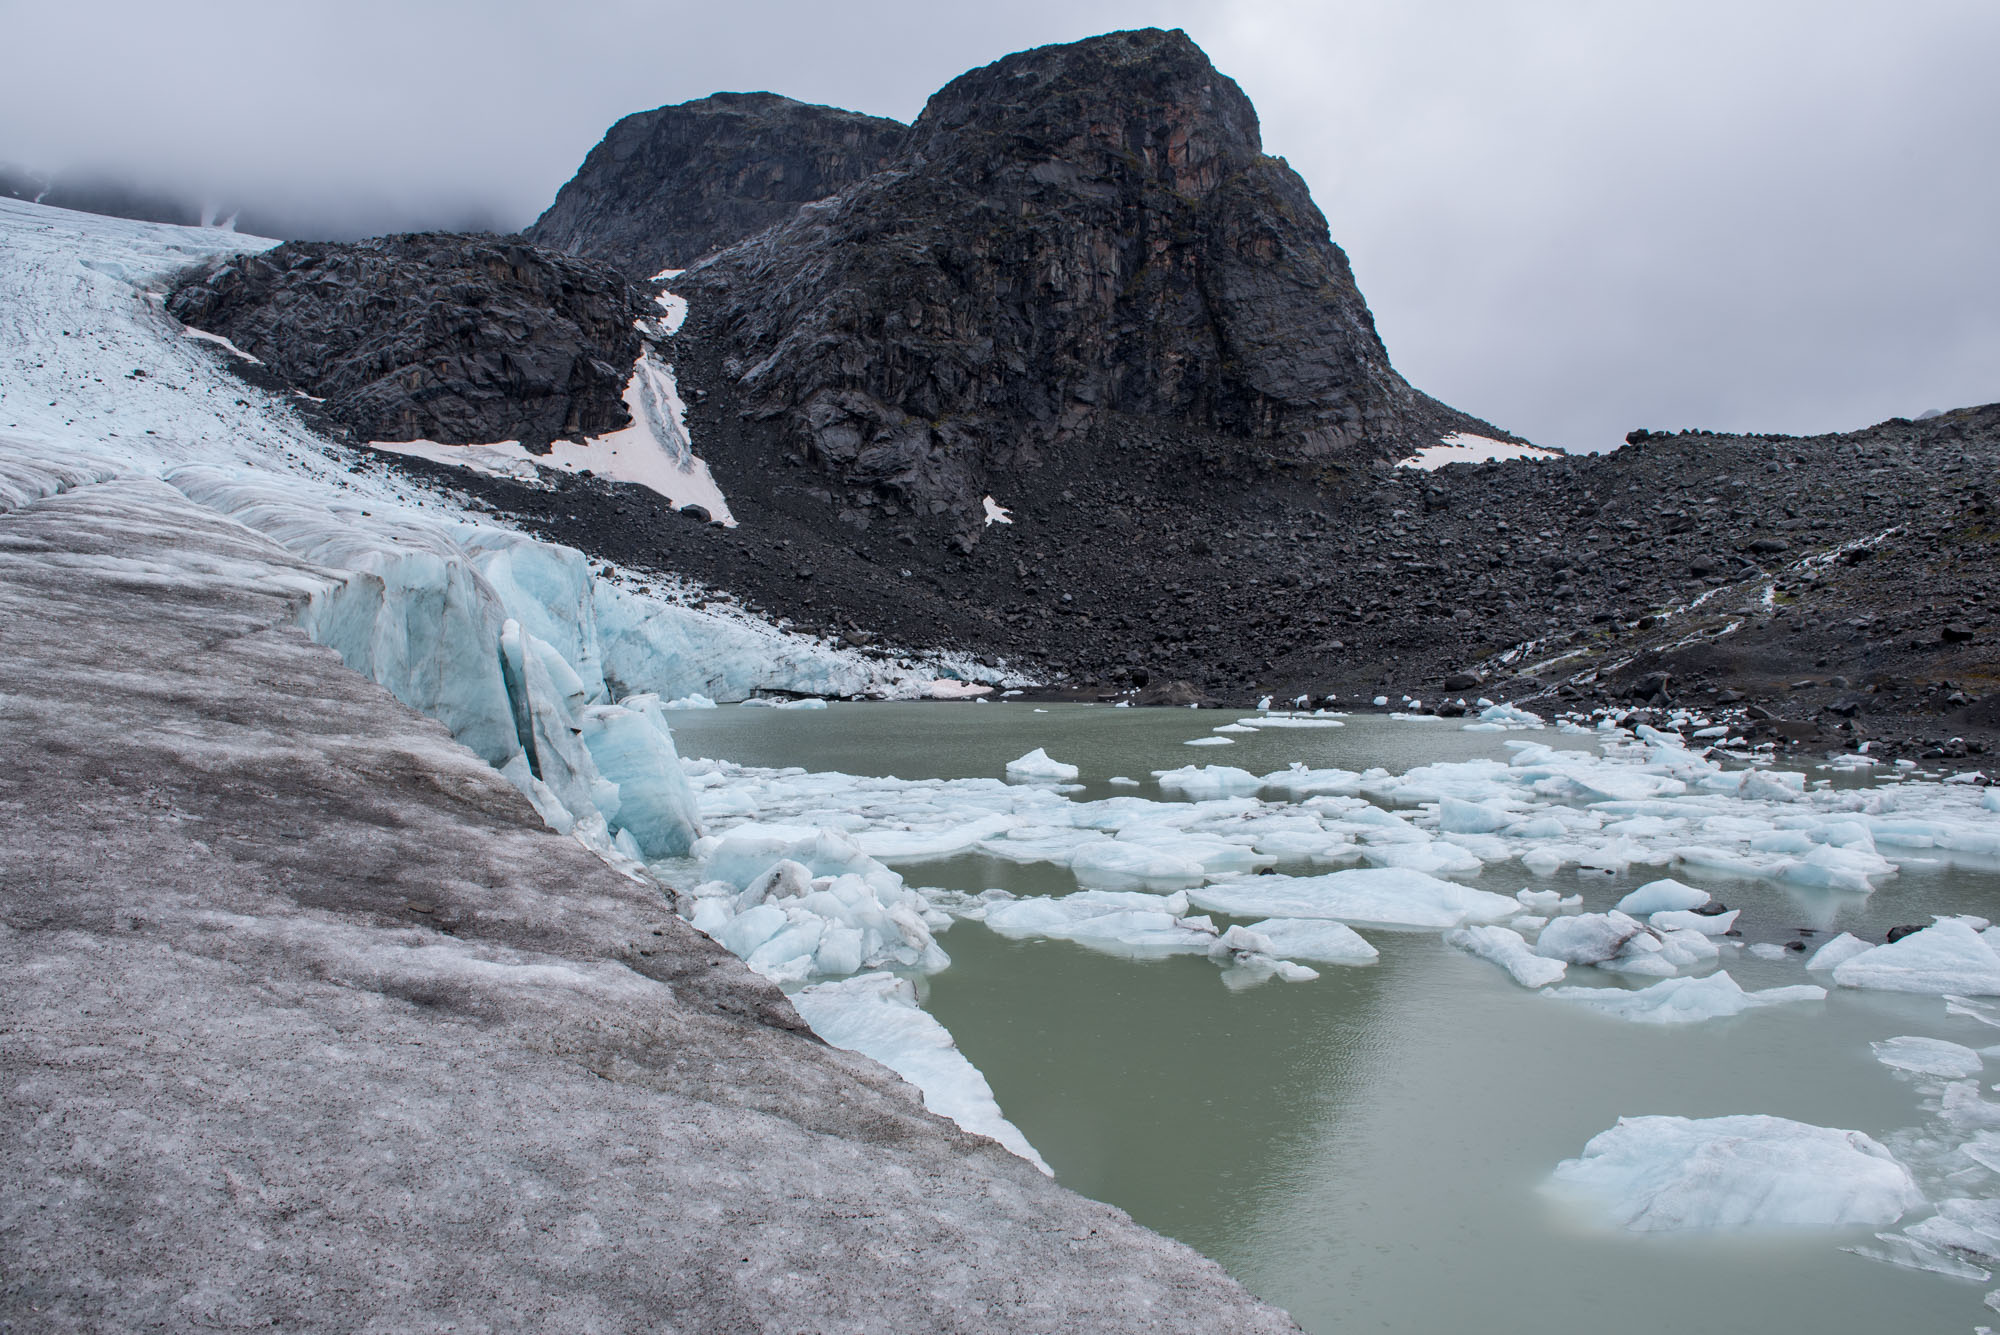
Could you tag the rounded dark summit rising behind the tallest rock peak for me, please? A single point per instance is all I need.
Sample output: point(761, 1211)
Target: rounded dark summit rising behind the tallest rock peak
point(673, 185)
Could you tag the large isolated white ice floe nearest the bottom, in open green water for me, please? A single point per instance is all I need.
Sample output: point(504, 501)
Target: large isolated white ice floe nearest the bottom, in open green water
point(1735, 1174)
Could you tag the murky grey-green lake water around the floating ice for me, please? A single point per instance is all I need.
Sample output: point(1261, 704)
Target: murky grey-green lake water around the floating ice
point(1369, 1150)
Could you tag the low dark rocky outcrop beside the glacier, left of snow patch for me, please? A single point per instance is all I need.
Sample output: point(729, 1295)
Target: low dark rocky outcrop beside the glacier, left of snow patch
point(433, 337)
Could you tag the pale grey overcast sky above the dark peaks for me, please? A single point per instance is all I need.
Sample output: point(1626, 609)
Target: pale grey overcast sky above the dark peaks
point(1571, 217)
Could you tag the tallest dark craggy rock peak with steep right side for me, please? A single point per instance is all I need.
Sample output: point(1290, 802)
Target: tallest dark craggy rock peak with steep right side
point(1073, 233)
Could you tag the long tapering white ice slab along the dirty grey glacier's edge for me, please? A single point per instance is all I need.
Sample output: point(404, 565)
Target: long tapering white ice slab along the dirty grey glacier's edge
point(877, 1016)
